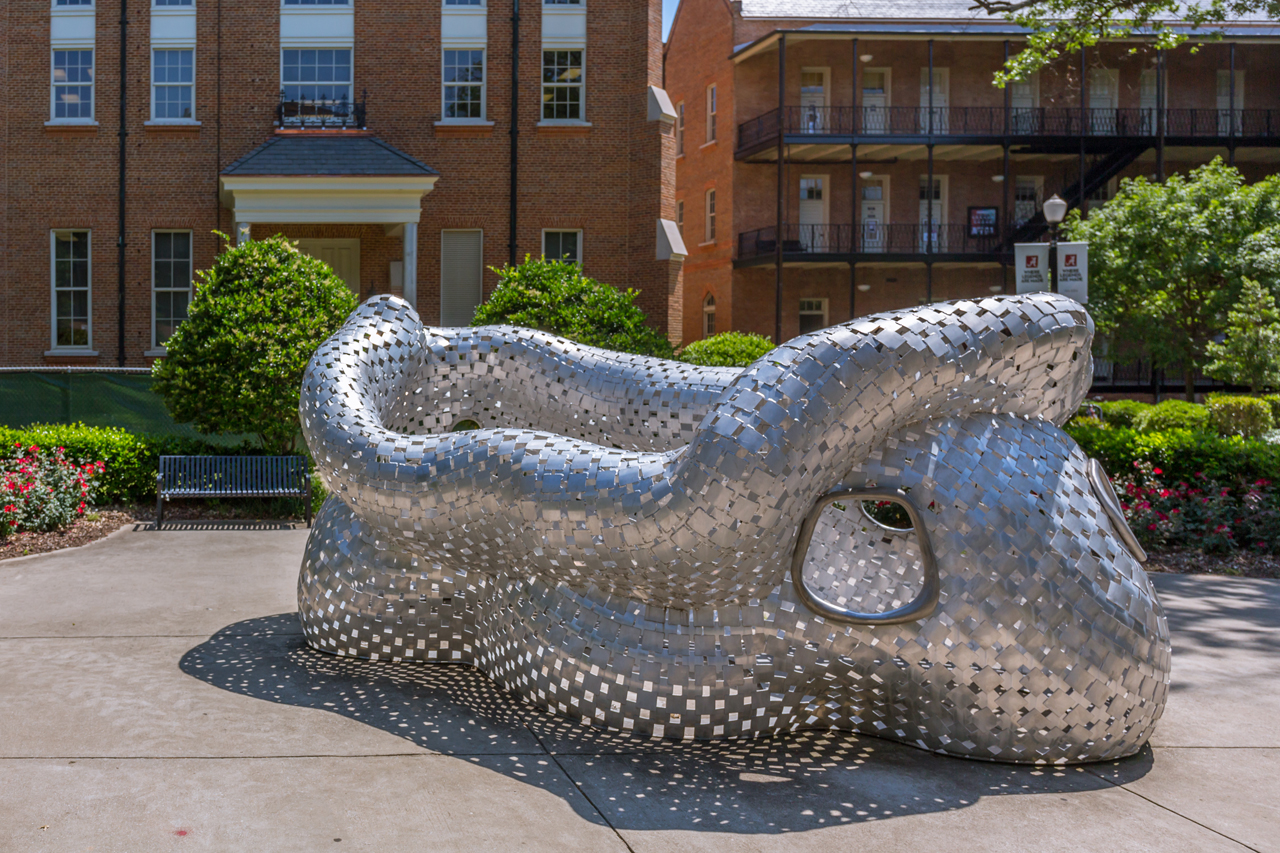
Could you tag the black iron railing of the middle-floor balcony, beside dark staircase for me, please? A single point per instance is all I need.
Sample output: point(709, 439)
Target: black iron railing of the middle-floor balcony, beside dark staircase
point(892, 239)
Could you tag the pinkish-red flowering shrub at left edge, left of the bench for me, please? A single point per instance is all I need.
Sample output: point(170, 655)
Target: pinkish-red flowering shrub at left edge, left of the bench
point(43, 491)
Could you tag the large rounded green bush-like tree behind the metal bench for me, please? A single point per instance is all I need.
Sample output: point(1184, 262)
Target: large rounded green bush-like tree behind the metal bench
point(236, 363)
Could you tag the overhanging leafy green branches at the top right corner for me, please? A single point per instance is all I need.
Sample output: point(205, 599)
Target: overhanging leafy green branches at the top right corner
point(1060, 28)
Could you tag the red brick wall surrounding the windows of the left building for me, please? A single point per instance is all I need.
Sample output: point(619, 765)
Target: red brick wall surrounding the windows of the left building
point(615, 181)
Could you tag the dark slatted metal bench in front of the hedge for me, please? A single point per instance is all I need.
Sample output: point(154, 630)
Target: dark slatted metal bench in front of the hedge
point(232, 477)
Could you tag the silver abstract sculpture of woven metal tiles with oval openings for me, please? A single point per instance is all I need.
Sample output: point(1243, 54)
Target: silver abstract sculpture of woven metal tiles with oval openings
point(616, 539)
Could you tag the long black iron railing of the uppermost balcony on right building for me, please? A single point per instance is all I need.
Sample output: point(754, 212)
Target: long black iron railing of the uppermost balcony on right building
point(996, 121)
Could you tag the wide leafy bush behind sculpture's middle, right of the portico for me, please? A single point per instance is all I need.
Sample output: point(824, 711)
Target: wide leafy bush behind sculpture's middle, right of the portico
point(556, 298)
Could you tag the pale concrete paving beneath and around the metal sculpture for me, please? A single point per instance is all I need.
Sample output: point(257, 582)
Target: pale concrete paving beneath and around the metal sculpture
point(156, 695)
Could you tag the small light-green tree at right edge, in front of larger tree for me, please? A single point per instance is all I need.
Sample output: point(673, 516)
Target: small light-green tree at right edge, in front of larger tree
point(1251, 353)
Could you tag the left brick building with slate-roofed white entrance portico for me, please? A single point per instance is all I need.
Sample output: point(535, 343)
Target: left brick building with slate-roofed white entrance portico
point(397, 140)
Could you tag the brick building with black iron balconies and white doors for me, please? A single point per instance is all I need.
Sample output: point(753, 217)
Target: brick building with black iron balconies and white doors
point(870, 138)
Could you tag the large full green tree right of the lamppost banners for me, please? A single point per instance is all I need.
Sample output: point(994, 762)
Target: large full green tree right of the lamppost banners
point(1167, 261)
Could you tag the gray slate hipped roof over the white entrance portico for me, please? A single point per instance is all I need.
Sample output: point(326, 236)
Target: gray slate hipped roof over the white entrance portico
point(308, 156)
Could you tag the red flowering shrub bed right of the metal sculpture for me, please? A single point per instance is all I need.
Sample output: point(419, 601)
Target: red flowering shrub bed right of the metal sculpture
point(1204, 514)
